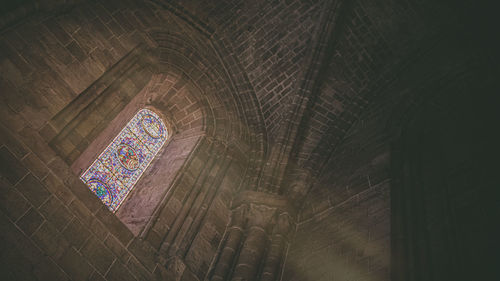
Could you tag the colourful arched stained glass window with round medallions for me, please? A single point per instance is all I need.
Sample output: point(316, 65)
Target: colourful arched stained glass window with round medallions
point(115, 172)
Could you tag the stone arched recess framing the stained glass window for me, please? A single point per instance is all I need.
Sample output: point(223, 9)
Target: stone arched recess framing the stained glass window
point(165, 70)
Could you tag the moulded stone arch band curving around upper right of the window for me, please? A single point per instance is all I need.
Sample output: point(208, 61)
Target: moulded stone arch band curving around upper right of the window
point(223, 90)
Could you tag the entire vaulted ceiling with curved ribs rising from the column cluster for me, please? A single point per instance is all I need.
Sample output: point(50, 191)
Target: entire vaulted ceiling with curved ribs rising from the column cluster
point(295, 74)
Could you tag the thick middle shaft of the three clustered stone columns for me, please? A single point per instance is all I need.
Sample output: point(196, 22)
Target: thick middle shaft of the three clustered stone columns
point(255, 243)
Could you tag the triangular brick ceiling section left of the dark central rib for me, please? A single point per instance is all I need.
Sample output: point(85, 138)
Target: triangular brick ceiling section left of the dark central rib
point(272, 41)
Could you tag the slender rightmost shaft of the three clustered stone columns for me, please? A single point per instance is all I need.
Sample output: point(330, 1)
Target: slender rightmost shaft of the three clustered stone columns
point(274, 258)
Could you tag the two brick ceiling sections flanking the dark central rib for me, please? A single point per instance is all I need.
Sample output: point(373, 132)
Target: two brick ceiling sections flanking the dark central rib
point(276, 44)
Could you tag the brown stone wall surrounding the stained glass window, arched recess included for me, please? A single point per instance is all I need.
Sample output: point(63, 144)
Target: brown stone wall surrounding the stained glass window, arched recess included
point(63, 91)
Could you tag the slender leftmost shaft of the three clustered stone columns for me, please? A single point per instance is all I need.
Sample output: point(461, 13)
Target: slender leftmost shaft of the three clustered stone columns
point(232, 243)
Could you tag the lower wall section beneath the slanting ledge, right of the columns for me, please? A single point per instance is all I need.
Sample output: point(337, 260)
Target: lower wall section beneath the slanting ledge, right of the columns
point(349, 241)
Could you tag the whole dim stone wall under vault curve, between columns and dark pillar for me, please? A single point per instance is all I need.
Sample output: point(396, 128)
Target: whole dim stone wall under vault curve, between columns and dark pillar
point(344, 225)
